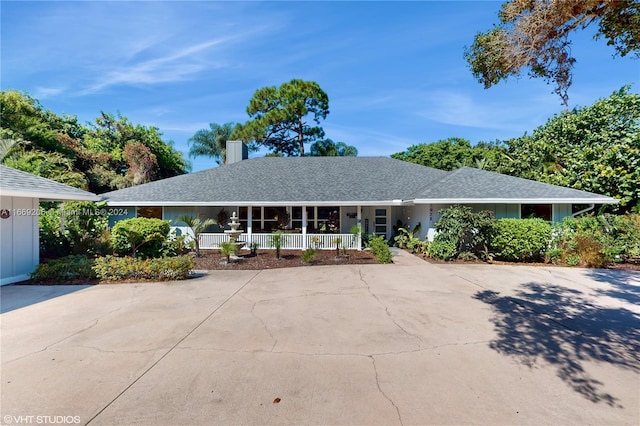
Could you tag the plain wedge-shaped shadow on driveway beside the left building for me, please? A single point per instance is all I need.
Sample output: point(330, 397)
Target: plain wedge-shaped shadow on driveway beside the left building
point(18, 296)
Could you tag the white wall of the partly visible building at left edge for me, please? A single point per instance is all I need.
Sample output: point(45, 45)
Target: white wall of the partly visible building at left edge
point(19, 239)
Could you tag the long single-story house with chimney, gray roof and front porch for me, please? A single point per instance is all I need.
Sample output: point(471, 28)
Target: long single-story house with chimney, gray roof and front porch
point(318, 199)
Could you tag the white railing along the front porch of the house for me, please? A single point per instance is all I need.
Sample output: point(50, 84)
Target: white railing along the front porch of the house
point(289, 241)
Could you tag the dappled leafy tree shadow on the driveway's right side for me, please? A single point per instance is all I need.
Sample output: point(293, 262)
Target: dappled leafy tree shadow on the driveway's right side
point(565, 329)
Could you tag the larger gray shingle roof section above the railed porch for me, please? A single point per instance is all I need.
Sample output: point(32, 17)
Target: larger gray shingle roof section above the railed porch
point(291, 179)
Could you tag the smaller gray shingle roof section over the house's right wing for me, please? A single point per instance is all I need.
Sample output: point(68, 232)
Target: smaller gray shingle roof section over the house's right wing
point(472, 184)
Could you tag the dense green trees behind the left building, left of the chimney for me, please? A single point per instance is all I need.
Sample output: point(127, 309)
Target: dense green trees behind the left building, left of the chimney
point(110, 153)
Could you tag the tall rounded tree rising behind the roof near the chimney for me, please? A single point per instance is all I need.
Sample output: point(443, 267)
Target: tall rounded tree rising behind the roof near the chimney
point(279, 117)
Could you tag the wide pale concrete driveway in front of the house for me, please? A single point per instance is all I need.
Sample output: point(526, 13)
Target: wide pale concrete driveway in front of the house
point(408, 343)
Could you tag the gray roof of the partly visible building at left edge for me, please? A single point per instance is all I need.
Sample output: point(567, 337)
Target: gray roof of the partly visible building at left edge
point(17, 183)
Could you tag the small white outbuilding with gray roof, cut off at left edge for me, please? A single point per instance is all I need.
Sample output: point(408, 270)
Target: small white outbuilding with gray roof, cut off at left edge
point(20, 196)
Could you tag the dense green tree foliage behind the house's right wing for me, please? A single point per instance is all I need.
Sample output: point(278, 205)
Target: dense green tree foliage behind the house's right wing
point(594, 148)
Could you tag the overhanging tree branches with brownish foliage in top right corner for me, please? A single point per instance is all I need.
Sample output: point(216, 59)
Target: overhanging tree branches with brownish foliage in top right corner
point(534, 35)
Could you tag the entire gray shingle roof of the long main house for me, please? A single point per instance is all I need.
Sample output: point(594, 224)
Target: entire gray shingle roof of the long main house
point(300, 180)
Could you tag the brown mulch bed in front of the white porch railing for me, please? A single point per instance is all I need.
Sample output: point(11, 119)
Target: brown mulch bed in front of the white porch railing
point(266, 259)
